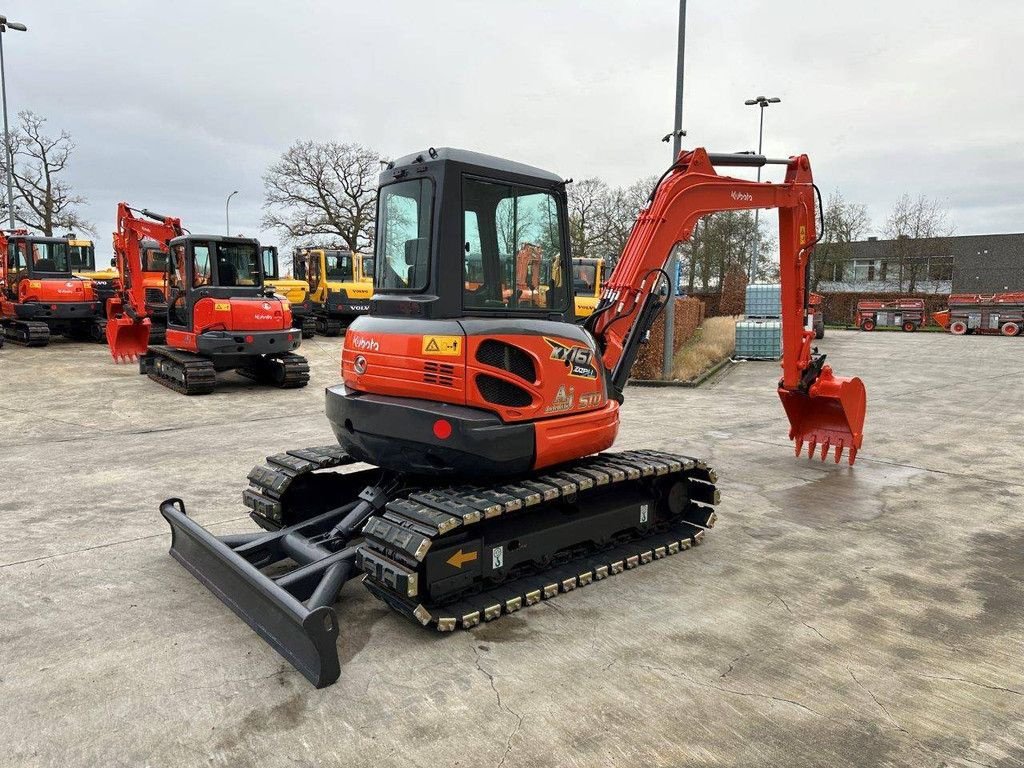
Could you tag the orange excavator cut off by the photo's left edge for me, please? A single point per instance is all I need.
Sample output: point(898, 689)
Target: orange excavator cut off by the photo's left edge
point(39, 294)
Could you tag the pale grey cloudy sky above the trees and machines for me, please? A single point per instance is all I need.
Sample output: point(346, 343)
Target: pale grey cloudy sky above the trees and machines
point(176, 105)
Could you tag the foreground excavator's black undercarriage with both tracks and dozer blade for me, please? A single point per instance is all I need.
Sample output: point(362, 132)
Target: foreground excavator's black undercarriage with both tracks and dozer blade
point(447, 557)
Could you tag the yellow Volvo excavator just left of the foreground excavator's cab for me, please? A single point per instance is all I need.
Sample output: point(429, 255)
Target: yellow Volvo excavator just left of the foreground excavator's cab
point(340, 285)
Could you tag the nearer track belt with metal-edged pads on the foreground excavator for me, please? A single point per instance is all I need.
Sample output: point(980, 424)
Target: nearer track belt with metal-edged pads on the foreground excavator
point(411, 527)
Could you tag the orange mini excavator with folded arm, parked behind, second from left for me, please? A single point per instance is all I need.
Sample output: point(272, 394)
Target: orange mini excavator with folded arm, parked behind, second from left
point(220, 315)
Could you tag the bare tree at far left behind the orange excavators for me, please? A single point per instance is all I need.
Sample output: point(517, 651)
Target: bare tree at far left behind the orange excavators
point(45, 201)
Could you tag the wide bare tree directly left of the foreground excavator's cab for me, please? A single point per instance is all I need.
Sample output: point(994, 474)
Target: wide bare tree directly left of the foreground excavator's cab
point(324, 189)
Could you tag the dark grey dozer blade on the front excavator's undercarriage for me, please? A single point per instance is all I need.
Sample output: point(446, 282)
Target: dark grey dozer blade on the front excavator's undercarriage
point(307, 638)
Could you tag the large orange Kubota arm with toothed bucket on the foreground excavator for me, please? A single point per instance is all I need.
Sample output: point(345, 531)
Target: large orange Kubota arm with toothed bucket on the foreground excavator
point(824, 410)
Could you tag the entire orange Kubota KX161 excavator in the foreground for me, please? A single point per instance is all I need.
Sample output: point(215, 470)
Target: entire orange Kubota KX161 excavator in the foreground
point(486, 417)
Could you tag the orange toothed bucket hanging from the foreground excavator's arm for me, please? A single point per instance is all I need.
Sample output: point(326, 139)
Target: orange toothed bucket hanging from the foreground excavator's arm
point(829, 417)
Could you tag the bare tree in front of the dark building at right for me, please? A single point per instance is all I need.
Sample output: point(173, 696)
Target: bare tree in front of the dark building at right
point(919, 229)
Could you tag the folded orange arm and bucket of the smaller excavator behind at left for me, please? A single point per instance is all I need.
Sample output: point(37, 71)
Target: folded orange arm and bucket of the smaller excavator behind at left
point(127, 318)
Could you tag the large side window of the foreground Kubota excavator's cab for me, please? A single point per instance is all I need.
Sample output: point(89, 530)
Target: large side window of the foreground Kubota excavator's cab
point(514, 250)
